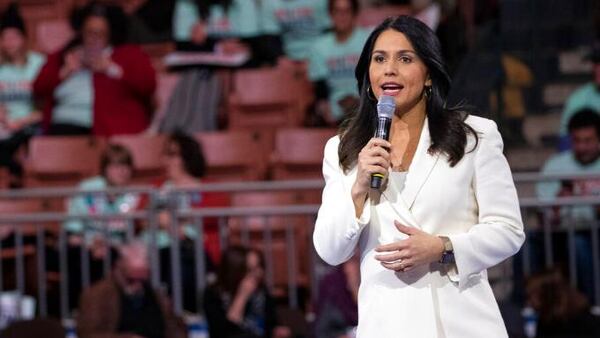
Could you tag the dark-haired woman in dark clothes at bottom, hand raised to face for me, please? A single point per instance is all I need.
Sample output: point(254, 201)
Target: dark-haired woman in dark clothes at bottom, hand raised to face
point(238, 304)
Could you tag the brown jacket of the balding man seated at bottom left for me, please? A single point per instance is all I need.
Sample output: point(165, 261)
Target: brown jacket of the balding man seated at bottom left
point(99, 313)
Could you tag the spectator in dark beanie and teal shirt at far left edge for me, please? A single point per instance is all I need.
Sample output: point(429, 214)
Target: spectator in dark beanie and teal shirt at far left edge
point(19, 119)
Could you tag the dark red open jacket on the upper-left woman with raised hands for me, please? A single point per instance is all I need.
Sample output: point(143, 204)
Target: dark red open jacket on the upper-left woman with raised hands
point(121, 106)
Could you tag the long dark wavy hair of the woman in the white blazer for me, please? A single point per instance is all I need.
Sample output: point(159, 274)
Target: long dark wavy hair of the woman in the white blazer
point(446, 124)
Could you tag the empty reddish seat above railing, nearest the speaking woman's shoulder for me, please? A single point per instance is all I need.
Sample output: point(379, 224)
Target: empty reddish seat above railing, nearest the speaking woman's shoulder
point(299, 153)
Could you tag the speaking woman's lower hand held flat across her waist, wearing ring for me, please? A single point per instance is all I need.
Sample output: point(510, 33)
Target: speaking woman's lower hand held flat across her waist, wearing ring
point(418, 249)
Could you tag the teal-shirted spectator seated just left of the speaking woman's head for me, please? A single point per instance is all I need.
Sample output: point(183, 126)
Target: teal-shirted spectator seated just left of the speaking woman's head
point(332, 62)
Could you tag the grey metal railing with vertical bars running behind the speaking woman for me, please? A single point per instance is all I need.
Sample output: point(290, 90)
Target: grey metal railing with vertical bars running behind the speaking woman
point(197, 218)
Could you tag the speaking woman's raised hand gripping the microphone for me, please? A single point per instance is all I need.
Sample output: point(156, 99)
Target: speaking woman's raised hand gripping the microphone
point(374, 158)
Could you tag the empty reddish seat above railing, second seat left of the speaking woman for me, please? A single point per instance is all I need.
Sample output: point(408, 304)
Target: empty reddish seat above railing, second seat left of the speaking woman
point(234, 155)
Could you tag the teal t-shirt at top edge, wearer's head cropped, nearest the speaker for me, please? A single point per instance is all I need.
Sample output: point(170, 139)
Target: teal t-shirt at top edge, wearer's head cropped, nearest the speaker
point(299, 22)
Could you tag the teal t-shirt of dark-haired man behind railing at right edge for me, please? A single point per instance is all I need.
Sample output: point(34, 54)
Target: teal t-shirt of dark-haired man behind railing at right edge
point(565, 163)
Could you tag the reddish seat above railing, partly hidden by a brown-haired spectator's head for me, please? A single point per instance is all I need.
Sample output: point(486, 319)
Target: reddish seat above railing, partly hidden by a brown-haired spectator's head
point(147, 152)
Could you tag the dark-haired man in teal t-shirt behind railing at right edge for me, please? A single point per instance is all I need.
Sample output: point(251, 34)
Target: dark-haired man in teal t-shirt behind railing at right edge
point(584, 158)
